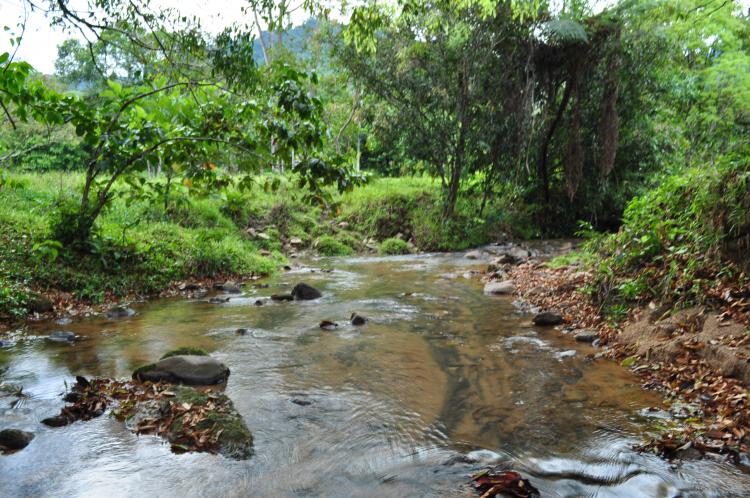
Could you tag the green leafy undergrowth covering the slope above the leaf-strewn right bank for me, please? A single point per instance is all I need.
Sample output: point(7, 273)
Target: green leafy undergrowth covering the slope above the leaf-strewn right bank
point(671, 245)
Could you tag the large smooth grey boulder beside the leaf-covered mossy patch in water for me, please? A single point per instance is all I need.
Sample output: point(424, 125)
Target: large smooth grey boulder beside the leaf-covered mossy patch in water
point(184, 369)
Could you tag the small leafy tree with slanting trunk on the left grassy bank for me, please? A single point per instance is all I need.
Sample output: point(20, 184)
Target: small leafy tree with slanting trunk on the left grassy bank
point(171, 118)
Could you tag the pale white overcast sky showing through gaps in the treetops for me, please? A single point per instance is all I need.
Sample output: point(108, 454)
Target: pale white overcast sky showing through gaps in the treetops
point(40, 41)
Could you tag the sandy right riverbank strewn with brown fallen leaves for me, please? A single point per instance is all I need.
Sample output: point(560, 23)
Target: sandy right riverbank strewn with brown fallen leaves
point(697, 358)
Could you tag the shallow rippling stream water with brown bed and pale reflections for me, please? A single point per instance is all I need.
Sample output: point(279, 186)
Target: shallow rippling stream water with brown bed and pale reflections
point(434, 375)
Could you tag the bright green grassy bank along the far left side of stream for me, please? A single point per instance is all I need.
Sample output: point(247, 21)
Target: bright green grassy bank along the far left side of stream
point(143, 243)
